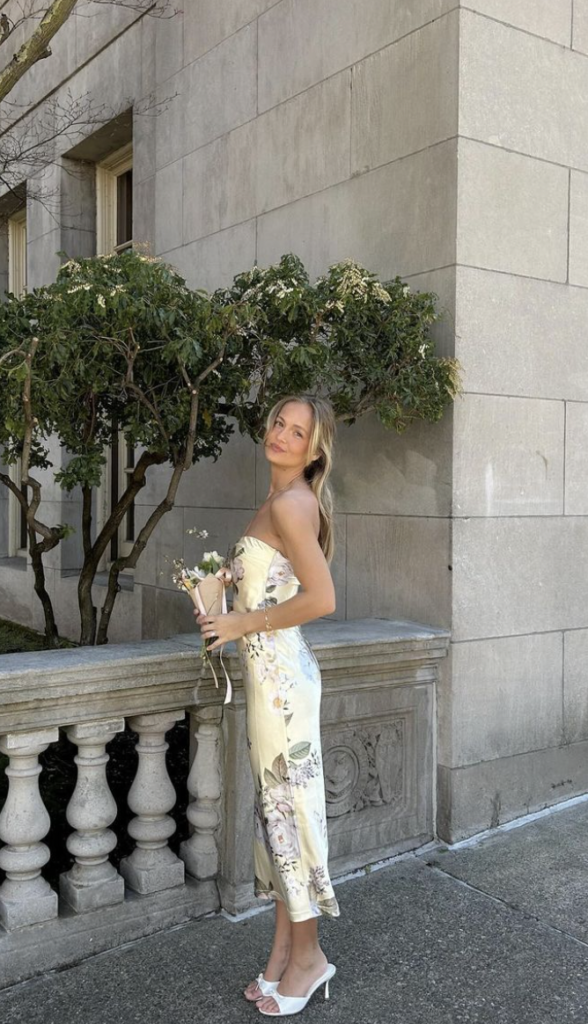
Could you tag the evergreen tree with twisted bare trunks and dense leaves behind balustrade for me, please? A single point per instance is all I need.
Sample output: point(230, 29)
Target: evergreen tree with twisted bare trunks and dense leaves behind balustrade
point(121, 339)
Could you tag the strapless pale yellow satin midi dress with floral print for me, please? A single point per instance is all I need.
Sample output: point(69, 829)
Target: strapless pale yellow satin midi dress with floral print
point(283, 690)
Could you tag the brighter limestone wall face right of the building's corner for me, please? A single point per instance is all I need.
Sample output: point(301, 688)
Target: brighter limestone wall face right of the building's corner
point(514, 700)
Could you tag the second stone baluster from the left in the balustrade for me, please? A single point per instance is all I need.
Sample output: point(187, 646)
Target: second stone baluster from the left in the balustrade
point(93, 882)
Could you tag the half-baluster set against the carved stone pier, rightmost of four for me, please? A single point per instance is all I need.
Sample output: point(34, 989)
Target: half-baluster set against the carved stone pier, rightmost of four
point(200, 852)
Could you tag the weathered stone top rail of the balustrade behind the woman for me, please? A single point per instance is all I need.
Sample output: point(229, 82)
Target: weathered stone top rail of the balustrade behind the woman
point(64, 688)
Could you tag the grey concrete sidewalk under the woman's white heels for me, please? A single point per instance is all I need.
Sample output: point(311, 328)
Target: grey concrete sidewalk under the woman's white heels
point(491, 933)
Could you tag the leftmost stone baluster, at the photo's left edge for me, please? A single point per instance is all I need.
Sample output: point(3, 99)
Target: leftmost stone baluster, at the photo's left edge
point(26, 898)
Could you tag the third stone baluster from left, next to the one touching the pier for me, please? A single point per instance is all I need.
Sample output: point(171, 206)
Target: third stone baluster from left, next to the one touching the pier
point(153, 866)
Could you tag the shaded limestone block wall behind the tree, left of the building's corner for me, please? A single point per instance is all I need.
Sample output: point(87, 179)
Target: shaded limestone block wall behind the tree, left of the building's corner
point(273, 127)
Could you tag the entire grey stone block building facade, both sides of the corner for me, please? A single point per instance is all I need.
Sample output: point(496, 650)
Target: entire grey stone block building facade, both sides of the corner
point(443, 142)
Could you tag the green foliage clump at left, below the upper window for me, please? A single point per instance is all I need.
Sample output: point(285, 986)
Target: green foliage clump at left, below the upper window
point(121, 342)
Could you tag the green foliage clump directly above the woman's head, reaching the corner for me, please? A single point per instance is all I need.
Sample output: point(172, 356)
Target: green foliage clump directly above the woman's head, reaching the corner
point(364, 344)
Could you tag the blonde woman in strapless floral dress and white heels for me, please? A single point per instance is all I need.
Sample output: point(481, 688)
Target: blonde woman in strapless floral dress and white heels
point(288, 543)
